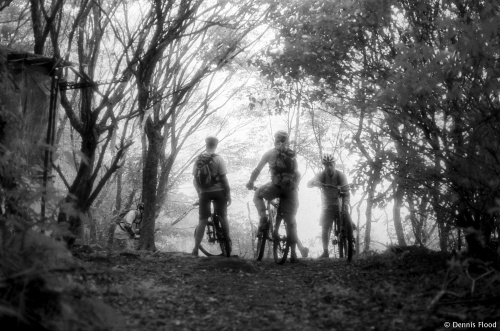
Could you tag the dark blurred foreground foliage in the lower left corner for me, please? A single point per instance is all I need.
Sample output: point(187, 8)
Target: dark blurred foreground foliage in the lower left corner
point(30, 293)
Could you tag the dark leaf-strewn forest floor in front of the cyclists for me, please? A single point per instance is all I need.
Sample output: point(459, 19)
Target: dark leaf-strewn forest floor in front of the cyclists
point(414, 290)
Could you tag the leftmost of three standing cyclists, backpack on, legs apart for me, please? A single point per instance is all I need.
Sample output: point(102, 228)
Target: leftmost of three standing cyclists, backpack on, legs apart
point(216, 190)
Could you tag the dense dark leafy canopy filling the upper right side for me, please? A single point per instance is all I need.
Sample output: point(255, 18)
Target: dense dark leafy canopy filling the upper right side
point(426, 74)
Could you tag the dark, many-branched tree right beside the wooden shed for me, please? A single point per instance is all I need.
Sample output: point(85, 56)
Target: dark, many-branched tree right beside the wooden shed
point(89, 109)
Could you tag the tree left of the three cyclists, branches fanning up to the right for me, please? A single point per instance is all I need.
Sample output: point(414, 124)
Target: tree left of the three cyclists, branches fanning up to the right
point(182, 46)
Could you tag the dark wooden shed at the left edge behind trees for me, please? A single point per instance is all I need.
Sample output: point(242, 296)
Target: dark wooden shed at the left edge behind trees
point(29, 103)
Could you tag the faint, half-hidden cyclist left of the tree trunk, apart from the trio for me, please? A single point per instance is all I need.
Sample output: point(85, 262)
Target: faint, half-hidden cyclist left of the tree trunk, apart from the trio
point(128, 227)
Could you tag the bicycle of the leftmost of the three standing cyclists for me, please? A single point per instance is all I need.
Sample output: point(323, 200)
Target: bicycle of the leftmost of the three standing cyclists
point(215, 242)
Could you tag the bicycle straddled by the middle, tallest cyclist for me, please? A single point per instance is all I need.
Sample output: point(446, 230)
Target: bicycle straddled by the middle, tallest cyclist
point(276, 232)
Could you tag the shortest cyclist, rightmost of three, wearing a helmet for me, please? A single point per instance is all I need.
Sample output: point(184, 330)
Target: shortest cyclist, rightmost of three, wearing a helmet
point(330, 197)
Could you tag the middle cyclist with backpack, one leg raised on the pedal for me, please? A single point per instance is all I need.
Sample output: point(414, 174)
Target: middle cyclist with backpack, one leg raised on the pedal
point(283, 185)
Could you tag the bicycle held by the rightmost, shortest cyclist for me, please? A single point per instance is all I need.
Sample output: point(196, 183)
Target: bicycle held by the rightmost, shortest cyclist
point(343, 228)
